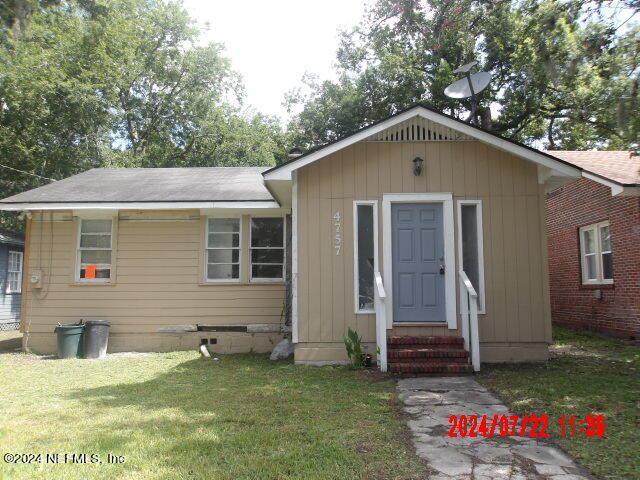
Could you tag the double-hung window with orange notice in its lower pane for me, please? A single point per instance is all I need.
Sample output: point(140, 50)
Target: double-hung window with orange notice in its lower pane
point(94, 251)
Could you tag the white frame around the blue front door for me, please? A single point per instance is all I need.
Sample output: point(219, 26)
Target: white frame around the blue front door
point(449, 248)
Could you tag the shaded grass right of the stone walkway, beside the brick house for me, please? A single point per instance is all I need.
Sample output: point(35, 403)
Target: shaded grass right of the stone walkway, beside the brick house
point(587, 374)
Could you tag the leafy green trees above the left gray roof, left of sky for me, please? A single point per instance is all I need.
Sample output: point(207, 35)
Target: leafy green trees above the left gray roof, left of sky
point(88, 83)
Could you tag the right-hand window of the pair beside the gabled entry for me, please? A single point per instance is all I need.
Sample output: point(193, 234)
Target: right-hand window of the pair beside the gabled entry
point(267, 247)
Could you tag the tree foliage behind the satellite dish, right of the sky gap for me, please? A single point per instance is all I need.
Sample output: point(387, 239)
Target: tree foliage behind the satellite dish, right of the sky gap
point(565, 72)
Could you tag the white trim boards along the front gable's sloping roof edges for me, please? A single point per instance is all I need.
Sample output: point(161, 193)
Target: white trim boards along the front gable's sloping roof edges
point(284, 172)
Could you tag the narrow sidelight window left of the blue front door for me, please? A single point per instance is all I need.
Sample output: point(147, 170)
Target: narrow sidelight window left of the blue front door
point(365, 246)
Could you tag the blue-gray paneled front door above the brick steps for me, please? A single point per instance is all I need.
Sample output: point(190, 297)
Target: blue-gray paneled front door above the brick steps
point(418, 262)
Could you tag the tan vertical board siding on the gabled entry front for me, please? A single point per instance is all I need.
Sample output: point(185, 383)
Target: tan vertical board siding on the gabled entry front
point(514, 258)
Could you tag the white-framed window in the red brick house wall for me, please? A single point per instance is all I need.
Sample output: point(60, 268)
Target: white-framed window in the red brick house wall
point(595, 253)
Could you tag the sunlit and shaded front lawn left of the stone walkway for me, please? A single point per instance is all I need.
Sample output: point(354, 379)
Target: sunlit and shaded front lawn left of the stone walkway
point(175, 415)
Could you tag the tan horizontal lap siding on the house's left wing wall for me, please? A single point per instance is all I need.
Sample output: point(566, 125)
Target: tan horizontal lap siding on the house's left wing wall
point(157, 284)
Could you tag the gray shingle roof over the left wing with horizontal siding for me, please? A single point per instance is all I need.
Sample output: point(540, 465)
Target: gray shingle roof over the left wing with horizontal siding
point(226, 184)
